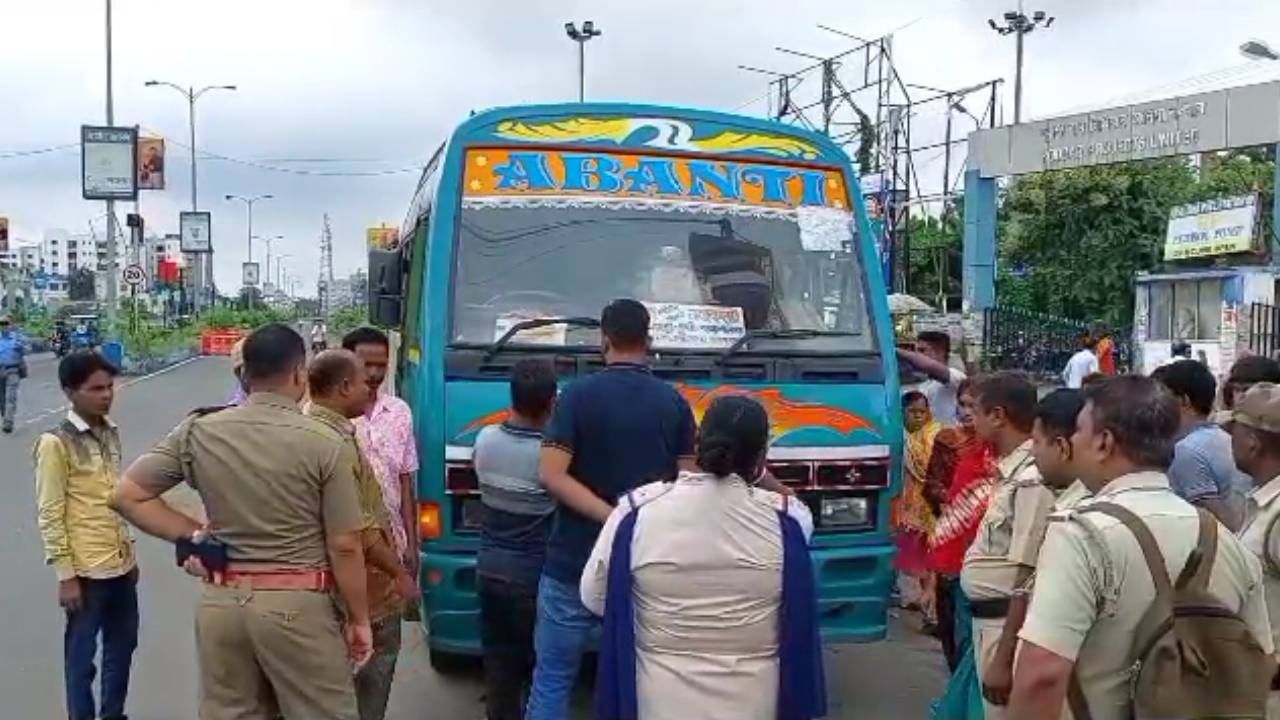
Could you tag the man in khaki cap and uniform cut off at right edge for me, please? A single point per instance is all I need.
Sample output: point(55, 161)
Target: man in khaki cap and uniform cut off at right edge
point(1256, 444)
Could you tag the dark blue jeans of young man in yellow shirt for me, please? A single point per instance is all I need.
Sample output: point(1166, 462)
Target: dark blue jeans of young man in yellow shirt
point(109, 608)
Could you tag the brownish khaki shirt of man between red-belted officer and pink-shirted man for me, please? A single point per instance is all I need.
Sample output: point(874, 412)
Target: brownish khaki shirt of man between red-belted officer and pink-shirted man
point(381, 587)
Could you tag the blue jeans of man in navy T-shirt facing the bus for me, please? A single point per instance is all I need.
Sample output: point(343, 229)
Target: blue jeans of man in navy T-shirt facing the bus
point(561, 637)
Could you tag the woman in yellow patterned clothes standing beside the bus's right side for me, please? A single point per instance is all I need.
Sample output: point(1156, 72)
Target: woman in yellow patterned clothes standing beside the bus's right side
point(912, 517)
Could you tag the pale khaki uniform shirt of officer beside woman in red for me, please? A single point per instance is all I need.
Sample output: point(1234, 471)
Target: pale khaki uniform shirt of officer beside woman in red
point(1012, 531)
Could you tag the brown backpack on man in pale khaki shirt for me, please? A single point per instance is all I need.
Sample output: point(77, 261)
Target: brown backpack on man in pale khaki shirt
point(1194, 658)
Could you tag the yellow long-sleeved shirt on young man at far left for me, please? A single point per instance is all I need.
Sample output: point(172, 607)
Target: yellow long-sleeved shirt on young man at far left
point(77, 468)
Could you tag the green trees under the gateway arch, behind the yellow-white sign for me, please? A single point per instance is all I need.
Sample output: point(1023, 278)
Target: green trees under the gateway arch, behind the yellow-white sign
point(1072, 241)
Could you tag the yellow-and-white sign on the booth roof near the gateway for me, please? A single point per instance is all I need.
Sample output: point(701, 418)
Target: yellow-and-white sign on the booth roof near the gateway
point(1213, 227)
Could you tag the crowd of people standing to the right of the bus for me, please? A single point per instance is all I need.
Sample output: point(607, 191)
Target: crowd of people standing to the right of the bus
point(1044, 522)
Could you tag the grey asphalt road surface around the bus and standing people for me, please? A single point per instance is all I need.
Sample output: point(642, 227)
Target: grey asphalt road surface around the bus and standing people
point(892, 681)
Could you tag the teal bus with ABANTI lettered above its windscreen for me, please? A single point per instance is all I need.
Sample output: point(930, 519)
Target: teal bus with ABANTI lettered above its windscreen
point(748, 241)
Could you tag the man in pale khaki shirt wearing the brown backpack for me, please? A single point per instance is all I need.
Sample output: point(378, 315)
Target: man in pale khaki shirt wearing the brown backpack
point(1094, 586)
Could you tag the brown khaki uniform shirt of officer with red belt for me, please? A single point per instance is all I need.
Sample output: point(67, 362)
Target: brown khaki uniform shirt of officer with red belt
point(272, 480)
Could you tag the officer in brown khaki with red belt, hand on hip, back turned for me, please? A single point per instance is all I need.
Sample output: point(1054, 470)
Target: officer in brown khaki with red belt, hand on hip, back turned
point(285, 504)
